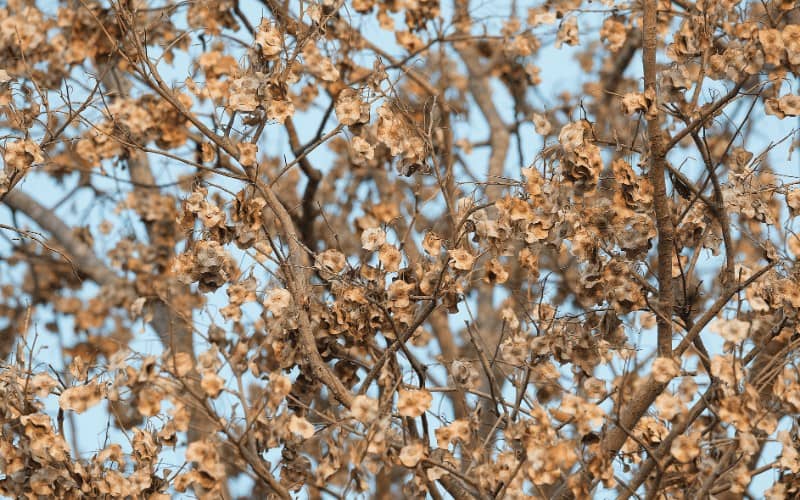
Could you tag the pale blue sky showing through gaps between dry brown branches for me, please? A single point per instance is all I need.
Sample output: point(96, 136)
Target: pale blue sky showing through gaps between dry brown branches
point(559, 71)
